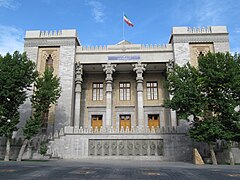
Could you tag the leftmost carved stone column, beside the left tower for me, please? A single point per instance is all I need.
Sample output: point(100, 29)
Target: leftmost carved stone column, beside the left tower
point(78, 90)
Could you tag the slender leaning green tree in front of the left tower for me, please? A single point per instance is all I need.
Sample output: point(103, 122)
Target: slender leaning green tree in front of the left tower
point(46, 93)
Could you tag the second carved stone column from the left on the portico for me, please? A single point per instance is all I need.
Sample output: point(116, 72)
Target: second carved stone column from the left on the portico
point(109, 69)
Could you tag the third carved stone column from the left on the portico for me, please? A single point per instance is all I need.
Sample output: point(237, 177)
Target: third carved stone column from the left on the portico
point(140, 68)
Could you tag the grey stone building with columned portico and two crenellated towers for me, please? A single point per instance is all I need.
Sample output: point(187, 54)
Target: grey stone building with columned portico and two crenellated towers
point(112, 96)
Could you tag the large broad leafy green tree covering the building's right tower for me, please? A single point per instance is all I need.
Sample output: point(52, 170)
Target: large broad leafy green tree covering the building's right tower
point(209, 93)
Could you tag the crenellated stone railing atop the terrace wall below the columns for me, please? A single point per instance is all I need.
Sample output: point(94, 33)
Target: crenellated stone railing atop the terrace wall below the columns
point(133, 130)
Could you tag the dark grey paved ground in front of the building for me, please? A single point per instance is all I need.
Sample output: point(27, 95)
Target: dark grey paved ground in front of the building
point(114, 169)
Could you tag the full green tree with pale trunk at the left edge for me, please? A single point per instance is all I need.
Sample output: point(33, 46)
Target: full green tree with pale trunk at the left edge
point(17, 73)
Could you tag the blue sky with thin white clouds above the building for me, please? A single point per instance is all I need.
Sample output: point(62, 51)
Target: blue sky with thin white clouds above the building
point(99, 22)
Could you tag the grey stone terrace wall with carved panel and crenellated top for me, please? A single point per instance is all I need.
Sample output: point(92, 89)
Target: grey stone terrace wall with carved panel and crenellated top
point(163, 144)
